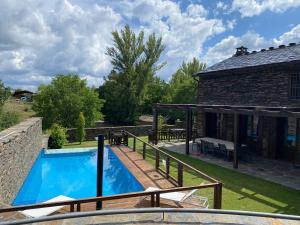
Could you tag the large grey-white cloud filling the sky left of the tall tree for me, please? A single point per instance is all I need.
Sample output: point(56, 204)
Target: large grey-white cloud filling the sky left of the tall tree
point(39, 40)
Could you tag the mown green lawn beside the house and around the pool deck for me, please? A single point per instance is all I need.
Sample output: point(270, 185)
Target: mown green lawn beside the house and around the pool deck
point(240, 191)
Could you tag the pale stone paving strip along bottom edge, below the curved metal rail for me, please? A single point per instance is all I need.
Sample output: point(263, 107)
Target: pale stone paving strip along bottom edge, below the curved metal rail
point(174, 218)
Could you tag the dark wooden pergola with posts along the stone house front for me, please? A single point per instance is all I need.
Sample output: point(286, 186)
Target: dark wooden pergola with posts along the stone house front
point(235, 110)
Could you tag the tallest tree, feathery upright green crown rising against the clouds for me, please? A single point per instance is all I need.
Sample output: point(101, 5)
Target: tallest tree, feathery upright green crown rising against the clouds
point(135, 62)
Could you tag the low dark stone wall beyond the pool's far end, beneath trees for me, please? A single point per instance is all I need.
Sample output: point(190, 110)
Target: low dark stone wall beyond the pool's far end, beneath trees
point(91, 133)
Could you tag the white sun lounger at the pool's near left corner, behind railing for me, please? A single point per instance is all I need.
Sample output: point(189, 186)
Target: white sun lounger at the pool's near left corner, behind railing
point(39, 212)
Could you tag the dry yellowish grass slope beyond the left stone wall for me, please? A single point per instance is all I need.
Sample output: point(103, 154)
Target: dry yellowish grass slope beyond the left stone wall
point(23, 109)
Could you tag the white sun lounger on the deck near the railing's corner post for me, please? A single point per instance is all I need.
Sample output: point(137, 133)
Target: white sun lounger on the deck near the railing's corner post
point(182, 197)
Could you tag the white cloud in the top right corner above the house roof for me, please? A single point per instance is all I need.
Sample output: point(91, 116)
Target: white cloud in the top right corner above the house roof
point(249, 8)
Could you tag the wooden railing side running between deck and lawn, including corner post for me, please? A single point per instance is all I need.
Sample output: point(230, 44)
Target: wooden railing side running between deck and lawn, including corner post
point(178, 180)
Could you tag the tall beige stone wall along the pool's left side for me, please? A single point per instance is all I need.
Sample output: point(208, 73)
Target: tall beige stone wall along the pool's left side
point(19, 147)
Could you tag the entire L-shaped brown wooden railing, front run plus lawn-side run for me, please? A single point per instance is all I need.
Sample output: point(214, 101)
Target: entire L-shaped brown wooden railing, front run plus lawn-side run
point(75, 205)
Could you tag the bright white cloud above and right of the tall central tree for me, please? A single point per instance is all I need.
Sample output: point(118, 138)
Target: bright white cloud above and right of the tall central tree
point(184, 32)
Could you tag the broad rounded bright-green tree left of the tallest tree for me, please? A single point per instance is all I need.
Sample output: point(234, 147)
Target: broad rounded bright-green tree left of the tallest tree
point(64, 98)
